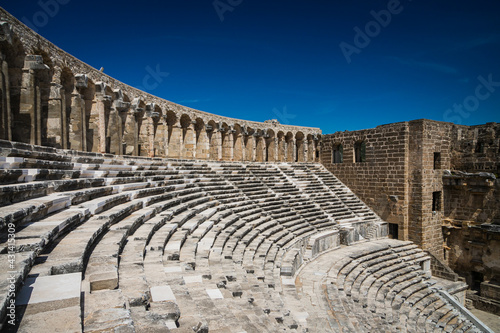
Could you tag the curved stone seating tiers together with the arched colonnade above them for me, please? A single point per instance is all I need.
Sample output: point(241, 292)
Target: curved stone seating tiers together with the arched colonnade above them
point(123, 212)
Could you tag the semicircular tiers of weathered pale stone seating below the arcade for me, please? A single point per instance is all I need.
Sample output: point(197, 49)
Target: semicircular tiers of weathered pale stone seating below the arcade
point(129, 244)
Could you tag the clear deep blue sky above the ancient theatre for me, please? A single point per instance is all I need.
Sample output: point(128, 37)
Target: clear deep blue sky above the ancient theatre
point(301, 62)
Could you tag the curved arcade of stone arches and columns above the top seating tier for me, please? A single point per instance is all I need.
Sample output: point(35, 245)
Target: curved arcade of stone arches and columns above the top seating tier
point(50, 98)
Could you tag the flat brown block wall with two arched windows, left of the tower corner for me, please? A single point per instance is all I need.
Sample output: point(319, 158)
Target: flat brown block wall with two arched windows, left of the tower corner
point(381, 180)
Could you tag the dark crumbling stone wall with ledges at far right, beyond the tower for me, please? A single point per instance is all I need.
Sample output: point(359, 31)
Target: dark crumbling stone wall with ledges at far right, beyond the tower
point(472, 207)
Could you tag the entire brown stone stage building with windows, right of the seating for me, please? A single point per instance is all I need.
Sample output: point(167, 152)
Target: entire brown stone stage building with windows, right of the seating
point(401, 173)
